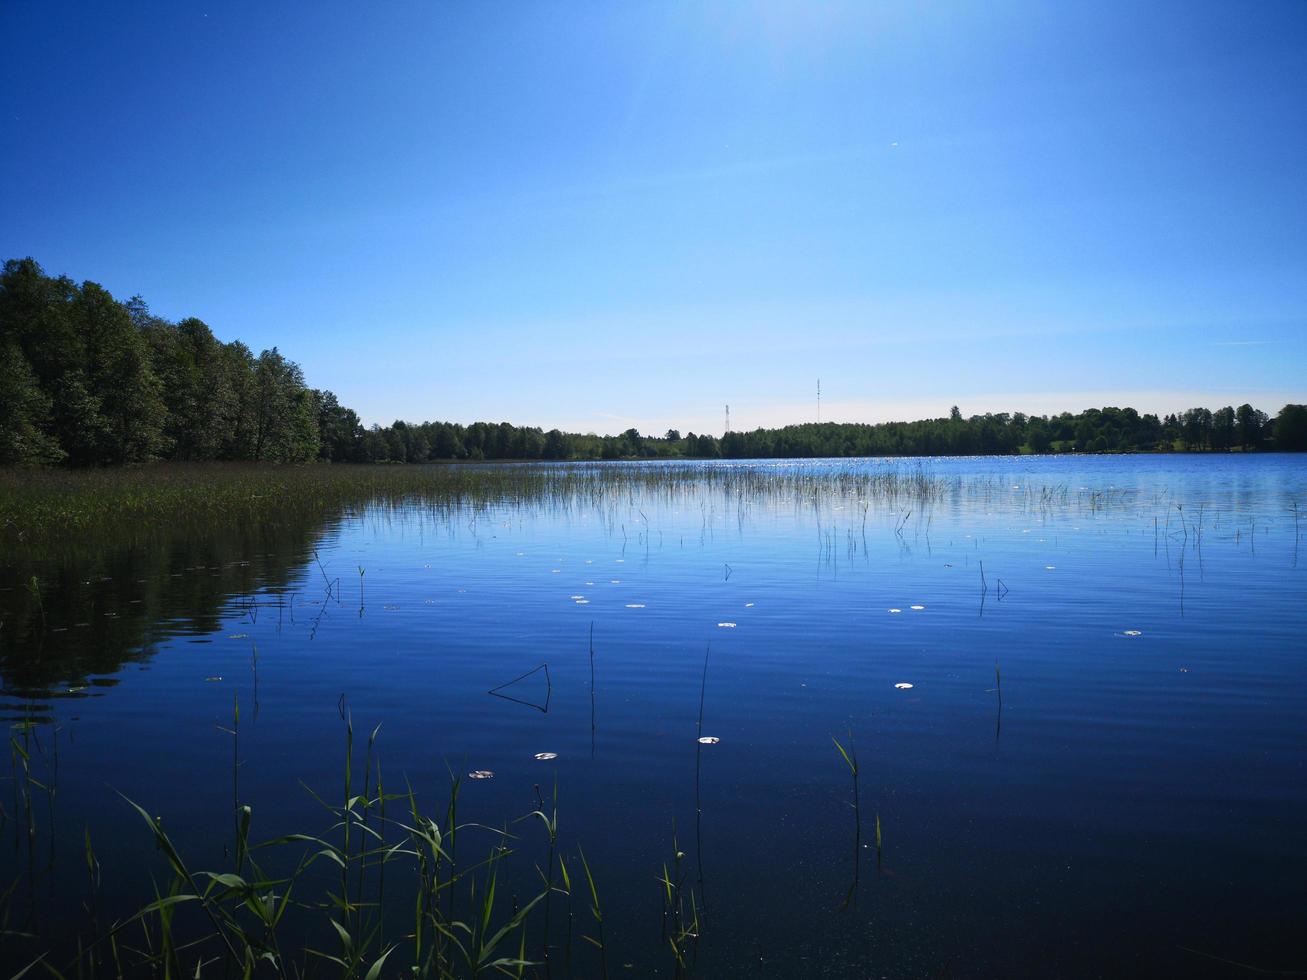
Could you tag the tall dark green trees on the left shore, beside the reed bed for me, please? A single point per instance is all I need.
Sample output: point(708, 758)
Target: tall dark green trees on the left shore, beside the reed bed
point(96, 382)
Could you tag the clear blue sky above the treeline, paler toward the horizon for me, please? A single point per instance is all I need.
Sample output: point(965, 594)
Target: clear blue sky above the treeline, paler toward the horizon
point(595, 216)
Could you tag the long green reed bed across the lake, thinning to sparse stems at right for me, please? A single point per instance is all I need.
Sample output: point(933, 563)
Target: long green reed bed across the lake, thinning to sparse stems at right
point(54, 509)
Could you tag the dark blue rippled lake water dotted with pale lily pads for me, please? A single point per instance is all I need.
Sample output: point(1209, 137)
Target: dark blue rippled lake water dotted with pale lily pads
point(1131, 804)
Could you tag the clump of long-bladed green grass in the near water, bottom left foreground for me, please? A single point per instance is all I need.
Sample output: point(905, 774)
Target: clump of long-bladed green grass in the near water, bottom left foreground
point(371, 893)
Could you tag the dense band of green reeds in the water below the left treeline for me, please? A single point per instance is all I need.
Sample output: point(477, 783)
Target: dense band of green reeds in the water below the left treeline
point(45, 508)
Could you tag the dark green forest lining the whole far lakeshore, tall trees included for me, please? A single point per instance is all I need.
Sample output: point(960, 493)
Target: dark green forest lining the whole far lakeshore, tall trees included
point(90, 381)
